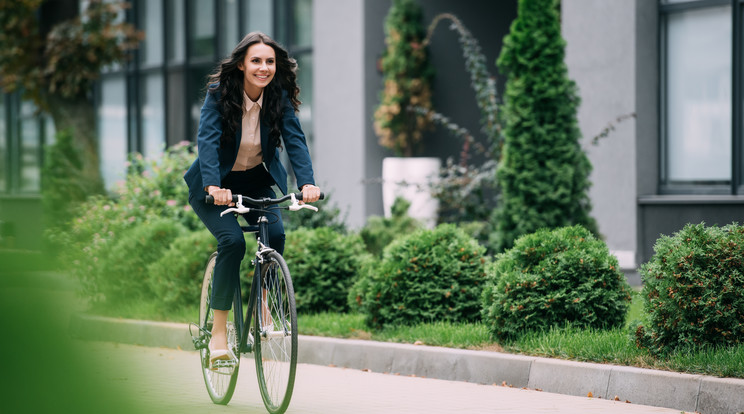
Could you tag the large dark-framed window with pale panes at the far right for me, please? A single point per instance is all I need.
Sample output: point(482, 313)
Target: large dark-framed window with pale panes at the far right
point(700, 96)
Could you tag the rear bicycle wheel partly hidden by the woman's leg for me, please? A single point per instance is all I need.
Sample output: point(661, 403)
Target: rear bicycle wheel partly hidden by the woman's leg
point(220, 381)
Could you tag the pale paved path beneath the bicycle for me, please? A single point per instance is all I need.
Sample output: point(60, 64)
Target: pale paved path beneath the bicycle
point(162, 380)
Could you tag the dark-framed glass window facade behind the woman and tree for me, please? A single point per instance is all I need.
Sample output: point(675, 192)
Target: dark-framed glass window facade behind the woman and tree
point(153, 100)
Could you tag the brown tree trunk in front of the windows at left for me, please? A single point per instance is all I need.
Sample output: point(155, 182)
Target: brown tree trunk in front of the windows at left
point(78, 116)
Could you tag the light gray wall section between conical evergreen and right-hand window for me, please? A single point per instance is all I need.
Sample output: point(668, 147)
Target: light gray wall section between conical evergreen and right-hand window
point(601, 41)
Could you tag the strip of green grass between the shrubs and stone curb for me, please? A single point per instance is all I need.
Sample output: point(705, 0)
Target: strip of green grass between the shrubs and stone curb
point(614, 346)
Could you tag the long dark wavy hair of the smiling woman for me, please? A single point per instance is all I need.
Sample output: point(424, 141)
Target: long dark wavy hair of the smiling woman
point(228, 81)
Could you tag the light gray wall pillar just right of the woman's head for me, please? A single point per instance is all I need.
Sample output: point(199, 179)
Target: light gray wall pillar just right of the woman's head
point(339, 147)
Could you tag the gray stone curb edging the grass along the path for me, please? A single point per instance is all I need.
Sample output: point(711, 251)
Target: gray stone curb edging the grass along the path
point(692, 393)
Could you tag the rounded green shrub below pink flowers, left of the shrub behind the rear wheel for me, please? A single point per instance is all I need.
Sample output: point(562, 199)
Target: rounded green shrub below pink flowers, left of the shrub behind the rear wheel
point(124, 272)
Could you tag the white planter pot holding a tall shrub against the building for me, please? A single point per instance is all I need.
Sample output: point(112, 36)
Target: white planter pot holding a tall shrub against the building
point(411, 178)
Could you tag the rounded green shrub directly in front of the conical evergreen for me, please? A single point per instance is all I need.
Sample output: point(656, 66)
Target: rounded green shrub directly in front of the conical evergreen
point(551, 278)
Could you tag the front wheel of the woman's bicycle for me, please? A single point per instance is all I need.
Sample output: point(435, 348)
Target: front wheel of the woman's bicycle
point(276, 320)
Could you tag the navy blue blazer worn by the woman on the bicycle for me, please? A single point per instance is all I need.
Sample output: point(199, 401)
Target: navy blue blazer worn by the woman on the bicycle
point(214, 163)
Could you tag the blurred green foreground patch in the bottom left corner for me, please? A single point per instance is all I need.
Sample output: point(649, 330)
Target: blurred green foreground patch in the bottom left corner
point(44, 369)
